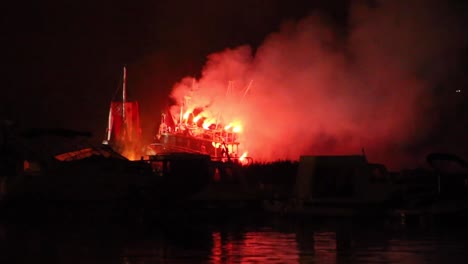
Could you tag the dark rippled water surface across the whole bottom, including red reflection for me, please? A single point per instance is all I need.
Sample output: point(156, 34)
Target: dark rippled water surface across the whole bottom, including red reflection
point(262, 241)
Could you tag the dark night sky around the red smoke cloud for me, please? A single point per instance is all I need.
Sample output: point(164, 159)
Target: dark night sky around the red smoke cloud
point(62, 60)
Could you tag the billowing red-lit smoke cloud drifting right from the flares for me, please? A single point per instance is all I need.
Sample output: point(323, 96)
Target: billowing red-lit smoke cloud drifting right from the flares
point(309, 89)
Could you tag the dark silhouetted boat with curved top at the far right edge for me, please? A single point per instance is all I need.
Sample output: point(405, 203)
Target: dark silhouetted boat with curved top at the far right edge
point(443, 197)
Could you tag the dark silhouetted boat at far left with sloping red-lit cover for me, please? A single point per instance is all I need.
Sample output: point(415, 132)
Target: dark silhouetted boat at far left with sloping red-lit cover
point(52, 172)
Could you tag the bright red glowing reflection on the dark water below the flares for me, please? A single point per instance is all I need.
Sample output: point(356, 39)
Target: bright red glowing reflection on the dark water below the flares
point(277, 247)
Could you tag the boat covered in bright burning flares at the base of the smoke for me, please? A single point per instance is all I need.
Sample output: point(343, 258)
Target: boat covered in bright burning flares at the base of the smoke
point(193, 132)
